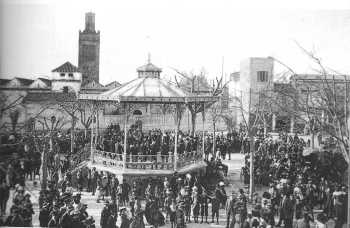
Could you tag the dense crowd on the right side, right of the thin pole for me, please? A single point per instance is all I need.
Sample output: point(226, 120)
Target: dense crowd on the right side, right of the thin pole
point(297, 184)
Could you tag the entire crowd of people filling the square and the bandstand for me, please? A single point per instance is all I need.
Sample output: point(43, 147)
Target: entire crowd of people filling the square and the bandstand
point(295, 185)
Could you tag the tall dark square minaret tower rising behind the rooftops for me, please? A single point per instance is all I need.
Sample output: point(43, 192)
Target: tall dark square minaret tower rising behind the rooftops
point(89, 50)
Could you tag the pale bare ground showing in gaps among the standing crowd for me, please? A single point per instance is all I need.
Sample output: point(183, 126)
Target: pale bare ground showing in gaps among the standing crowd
point(94, 209)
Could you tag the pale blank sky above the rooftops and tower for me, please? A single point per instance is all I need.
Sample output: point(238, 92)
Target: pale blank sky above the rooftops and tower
point(37, 36)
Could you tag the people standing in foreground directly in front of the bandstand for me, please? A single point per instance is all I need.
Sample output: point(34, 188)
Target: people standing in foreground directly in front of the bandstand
point(178, 200)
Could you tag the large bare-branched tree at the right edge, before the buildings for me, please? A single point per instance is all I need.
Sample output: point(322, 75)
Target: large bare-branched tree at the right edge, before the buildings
point(321, 103)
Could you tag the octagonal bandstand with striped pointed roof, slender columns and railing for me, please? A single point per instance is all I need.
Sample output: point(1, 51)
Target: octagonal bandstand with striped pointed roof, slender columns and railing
point(148, 88)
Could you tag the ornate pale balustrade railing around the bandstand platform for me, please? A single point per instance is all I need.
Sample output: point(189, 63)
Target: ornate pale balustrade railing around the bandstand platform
point(149, 162)
